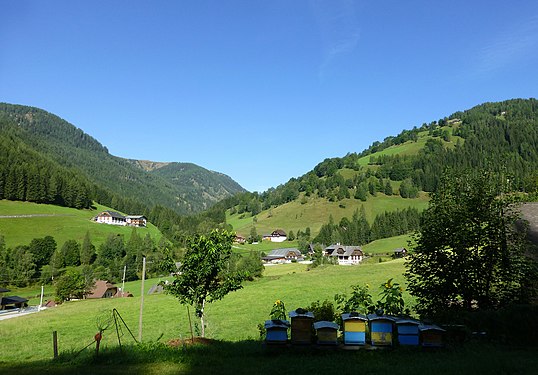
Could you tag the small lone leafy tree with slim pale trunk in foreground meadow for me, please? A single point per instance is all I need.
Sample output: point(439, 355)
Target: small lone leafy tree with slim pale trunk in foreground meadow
point(203, 276)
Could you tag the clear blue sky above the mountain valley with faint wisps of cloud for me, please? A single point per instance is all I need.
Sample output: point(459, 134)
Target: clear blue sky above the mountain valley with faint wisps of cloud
point(262, 90)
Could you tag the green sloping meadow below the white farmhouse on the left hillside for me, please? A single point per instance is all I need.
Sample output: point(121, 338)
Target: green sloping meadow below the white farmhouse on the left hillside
point(63, 224)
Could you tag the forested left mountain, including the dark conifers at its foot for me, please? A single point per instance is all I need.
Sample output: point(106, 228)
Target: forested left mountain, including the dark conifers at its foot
point(64, 150)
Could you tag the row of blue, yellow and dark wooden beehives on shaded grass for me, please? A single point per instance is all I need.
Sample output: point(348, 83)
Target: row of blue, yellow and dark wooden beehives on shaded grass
point(357, 330)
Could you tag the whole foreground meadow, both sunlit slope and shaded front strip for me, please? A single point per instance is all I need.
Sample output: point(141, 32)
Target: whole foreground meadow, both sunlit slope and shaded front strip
point(231, 324)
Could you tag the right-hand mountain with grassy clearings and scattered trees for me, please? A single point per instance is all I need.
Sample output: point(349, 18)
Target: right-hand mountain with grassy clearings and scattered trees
point(399, 171)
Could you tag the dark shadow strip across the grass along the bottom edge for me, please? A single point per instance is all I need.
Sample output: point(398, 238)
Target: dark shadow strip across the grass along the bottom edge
point(253, 357)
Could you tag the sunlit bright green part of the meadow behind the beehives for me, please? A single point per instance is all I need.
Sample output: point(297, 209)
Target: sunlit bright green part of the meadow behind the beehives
point(234, 318)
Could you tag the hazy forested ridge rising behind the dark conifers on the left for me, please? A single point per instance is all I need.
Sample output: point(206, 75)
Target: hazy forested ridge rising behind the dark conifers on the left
point(63, 143)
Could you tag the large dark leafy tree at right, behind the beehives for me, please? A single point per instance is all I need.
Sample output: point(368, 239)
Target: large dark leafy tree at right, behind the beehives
point(468, 253)
